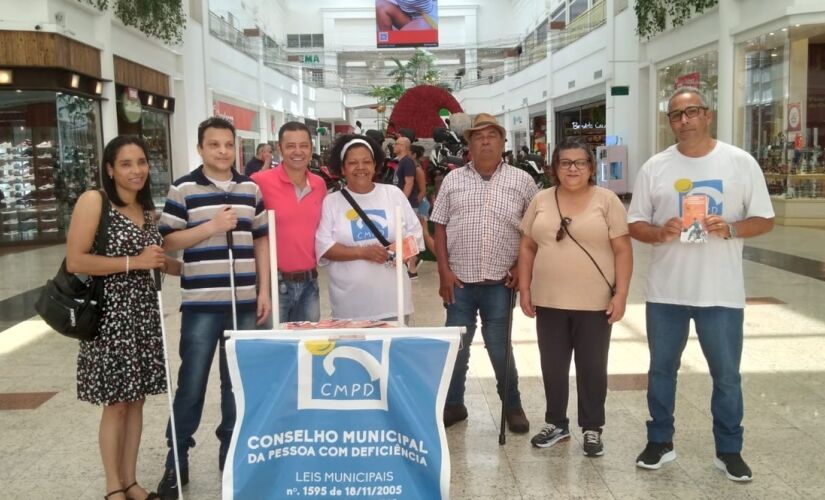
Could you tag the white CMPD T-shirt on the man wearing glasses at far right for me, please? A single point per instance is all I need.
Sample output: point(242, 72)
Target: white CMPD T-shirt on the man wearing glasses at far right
point(709, 274)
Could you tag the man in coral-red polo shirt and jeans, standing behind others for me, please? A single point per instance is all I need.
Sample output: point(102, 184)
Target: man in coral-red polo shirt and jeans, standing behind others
point(296, 195)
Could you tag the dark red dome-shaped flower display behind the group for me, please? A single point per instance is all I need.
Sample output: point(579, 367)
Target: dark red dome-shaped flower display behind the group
point(418, 110)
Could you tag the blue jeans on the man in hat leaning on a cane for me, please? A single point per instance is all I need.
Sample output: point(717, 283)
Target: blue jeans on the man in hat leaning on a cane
point(492, 303)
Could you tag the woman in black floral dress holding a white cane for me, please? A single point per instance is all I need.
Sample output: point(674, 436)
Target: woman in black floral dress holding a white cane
point(124, 363)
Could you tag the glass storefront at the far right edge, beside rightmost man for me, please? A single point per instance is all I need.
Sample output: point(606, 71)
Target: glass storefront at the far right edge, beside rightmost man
point(780, 117)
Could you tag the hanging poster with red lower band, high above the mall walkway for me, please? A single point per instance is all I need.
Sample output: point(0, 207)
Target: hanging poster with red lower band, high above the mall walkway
point(406, 23)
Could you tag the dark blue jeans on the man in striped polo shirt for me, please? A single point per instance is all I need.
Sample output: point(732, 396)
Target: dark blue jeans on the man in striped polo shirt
point(200, 334)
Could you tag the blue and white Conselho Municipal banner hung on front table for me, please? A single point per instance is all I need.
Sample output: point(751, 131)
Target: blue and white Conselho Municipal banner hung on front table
point(340, 413)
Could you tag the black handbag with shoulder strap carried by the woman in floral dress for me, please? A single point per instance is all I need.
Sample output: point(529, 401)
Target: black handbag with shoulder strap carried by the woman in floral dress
point(71, 305)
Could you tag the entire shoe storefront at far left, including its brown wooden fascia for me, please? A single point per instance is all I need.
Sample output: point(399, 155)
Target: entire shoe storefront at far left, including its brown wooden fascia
point(50, 136)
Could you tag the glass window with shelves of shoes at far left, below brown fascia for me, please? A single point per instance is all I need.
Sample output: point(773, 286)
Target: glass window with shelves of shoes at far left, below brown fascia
point(49, 155)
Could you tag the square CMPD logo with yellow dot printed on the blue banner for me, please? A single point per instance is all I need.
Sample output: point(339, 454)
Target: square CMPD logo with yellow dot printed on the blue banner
point(343, 375)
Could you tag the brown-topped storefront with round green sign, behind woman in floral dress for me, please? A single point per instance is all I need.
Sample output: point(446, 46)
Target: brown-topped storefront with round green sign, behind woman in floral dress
point(144, 109)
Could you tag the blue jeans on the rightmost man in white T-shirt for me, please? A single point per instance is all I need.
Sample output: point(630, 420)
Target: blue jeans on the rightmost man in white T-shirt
point(720, 335)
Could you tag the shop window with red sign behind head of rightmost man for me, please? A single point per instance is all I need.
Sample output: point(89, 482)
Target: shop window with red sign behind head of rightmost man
point(700, 71)
